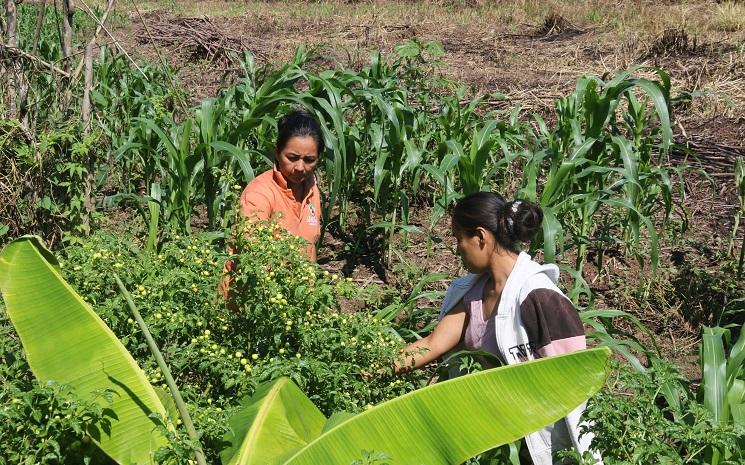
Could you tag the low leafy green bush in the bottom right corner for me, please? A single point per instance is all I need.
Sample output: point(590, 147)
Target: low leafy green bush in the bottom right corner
point(633, 424)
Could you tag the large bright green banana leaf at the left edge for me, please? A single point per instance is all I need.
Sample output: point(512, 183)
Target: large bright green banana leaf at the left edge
point(66, 341)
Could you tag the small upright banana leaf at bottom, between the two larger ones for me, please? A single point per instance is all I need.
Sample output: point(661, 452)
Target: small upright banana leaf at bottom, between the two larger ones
point(277, 419)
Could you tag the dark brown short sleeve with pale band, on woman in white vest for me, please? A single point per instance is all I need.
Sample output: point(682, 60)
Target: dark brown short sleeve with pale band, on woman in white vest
point(552, 323)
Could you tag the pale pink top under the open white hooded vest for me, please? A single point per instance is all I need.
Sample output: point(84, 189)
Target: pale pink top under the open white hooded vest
point(480, 334)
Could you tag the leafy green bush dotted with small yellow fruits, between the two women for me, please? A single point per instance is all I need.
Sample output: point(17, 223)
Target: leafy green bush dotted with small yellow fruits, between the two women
point(287, 321)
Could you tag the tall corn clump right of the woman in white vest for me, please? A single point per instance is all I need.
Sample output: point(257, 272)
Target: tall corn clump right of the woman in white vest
point(597, 161)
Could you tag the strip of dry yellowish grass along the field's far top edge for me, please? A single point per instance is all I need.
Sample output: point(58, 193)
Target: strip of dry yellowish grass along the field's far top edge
point(641, 17)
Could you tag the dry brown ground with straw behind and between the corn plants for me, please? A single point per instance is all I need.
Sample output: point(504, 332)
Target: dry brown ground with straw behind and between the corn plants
point(532, 52)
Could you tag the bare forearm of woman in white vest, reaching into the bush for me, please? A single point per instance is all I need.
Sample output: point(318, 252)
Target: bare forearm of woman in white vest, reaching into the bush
point(445, 336)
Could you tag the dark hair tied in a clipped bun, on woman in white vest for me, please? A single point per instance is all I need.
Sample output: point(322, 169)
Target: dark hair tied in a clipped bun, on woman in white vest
point(510, 222)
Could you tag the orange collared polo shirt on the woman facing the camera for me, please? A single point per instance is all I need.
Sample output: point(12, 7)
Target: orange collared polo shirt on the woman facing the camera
point(268, 195)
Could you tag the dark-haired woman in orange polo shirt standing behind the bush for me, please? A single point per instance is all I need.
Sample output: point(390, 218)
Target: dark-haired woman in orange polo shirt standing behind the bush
point(288, 192)
